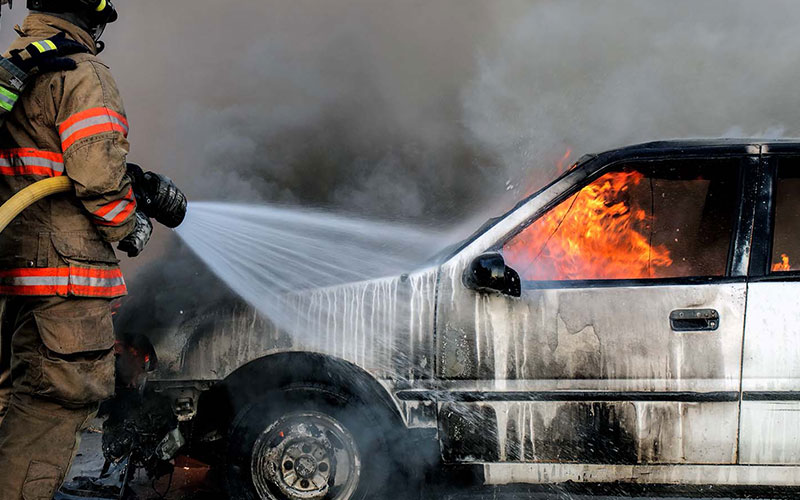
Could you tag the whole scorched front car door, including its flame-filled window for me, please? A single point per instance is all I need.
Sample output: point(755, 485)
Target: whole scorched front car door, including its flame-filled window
point(625, 344)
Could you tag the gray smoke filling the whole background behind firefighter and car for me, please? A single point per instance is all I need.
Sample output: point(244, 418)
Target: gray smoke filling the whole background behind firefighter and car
point(430, 112)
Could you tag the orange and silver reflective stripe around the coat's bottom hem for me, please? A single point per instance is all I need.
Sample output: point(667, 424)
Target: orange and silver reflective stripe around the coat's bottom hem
point(73, 280)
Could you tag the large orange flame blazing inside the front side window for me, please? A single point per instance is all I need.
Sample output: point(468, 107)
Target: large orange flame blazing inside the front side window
point(595, 234)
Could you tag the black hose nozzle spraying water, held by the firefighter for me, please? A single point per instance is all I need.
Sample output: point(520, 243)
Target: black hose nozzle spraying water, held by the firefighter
point(157, 196)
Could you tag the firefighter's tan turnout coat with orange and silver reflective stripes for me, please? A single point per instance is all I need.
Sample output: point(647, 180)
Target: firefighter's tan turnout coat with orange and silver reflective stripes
point(66, 123)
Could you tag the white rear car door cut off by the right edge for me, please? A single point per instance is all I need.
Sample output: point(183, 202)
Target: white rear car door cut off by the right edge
point(770, 432)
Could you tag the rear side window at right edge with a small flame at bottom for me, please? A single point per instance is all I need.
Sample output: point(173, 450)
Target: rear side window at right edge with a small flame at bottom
point(786, 232)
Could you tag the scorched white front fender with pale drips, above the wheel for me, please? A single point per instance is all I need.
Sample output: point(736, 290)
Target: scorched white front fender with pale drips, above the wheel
point(384, 326)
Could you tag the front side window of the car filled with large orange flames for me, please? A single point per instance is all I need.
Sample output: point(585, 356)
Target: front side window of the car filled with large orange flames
point(664, 219)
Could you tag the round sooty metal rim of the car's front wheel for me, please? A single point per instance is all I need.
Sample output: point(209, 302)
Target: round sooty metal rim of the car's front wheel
point(305, 456)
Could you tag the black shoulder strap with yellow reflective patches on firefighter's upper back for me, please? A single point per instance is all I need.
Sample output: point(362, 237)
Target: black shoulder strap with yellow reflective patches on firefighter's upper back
point(47, 55)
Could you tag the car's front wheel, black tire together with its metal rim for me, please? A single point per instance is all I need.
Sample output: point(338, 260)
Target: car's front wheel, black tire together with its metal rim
point(277, 425)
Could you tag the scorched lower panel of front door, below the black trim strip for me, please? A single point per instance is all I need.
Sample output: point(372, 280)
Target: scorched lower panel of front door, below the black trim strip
point(607, 432)
